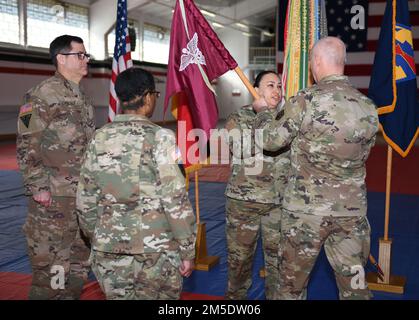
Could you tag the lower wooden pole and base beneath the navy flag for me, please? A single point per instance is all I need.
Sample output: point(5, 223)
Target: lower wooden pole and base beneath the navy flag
point(389, 283)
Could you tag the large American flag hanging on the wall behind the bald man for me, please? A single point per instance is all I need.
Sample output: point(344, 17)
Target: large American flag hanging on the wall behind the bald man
point(361, 48)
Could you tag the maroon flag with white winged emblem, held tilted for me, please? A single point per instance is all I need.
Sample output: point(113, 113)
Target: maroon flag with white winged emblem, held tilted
point(196, 58)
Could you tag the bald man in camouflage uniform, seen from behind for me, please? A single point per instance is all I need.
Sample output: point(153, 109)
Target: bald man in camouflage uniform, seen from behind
point(331, 127)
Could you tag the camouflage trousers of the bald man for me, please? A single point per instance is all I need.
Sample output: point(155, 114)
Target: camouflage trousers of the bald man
point(346, 242)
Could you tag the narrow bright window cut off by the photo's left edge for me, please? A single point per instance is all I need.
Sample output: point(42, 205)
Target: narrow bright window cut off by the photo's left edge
point(9, 21)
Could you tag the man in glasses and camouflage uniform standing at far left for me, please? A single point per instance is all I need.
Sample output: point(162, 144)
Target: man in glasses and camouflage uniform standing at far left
point(54, 126)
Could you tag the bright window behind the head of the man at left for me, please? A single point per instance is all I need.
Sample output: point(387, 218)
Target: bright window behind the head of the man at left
point(48, 19)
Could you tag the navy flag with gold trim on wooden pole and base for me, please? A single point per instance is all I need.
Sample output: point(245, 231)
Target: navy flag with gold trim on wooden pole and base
point(395, 12)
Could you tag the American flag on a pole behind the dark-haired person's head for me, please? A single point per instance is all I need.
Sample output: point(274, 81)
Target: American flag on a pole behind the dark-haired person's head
point(121, 56)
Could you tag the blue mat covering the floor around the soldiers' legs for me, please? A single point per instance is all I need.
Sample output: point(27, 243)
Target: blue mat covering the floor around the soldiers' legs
point(404, 229)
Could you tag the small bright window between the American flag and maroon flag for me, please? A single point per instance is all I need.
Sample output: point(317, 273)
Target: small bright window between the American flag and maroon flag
point(156, 42)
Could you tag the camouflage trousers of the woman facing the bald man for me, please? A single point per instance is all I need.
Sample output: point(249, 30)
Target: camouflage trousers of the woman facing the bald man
point(245, 221)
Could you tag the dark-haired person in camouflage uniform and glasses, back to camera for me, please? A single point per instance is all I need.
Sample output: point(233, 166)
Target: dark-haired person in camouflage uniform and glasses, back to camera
point(133, 203)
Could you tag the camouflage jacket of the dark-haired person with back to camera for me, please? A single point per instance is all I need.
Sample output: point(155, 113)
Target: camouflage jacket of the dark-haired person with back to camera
point(131, 197)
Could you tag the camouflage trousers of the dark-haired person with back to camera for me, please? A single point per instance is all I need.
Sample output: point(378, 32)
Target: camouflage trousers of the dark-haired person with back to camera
point(148, 276)
